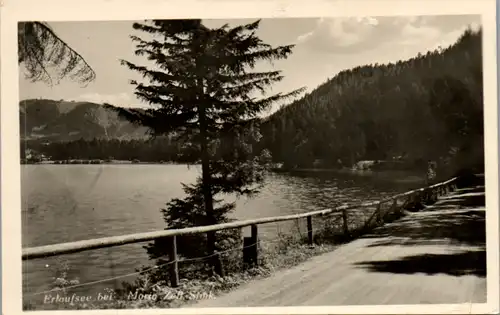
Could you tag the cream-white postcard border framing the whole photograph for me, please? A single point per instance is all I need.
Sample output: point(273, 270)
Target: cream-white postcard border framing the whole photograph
point(63, 10)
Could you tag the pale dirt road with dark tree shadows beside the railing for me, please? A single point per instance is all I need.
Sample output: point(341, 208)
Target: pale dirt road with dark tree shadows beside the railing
point(432, 256)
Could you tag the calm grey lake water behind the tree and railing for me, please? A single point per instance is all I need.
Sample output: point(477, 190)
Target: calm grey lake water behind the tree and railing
point(64, 203)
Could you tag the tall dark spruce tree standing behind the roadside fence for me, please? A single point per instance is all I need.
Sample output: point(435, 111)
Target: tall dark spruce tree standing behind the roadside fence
point(204, 90)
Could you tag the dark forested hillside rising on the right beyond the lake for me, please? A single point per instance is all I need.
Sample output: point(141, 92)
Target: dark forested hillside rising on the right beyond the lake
point(428, 107)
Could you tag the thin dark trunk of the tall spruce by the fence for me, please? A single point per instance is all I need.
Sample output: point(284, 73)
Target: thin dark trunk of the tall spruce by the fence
point(207, 191)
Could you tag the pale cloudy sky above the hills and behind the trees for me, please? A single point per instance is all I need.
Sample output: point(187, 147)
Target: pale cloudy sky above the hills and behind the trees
point(323, 47)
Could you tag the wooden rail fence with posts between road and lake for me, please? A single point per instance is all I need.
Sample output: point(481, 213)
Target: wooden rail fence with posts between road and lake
point(79, 246)
